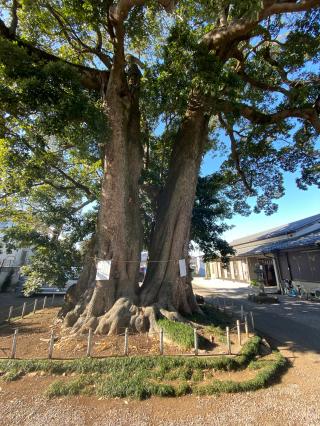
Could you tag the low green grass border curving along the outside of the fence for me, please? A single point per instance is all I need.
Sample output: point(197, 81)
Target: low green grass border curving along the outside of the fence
point(142, 377)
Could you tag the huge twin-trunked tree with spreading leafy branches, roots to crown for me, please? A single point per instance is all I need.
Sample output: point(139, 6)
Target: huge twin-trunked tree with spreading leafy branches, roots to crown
point(190, 70)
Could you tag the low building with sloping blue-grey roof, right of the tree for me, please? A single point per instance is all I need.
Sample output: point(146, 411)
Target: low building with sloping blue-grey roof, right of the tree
point(289, 252)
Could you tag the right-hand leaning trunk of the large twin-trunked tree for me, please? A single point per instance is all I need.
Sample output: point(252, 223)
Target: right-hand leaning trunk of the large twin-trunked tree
point(163, 285)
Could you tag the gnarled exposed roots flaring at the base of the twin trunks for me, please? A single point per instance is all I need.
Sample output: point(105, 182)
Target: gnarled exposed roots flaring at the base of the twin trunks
point(98, 309)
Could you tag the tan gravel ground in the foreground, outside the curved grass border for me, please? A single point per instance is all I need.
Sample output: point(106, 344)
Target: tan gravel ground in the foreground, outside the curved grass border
point(294, 401)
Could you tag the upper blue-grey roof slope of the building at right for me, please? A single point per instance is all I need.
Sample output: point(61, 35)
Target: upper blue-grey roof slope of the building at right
point(287, 229)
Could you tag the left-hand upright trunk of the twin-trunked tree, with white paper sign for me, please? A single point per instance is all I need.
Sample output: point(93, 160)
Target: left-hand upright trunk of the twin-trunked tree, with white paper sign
point(119, 234)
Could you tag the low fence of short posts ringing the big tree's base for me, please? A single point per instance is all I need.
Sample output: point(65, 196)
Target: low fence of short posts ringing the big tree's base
point(51, 345)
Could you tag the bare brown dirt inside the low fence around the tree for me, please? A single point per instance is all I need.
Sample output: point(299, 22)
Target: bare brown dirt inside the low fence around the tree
point(34, 332)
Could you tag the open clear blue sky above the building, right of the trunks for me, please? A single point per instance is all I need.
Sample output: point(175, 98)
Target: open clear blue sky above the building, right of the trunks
point(294, 205)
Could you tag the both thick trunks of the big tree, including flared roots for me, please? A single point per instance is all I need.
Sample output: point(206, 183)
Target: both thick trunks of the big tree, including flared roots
point(110, 306)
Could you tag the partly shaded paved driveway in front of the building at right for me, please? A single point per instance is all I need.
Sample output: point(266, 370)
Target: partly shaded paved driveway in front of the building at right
point(292, 323)
